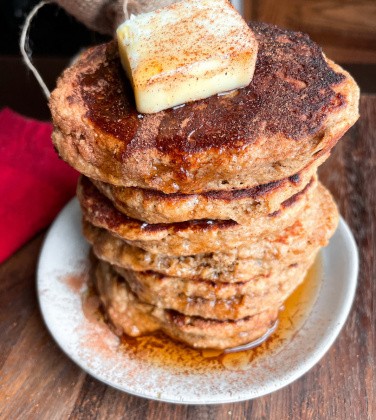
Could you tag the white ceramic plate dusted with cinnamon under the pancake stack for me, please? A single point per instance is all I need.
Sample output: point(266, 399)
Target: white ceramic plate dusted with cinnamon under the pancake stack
point(96, 350)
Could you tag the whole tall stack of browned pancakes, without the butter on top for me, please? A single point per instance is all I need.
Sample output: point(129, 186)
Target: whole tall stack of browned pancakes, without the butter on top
point(205, 217)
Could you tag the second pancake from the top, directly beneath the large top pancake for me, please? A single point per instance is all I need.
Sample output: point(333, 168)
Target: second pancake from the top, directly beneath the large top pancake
point(242, 206)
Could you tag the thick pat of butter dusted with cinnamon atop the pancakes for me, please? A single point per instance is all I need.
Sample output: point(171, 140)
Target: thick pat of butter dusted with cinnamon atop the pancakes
point(187, 51)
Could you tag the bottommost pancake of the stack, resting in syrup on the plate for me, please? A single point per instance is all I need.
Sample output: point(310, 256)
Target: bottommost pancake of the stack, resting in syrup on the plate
point(131, 316)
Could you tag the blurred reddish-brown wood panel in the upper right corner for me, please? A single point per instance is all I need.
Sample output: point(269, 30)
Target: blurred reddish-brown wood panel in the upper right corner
point(346, 29)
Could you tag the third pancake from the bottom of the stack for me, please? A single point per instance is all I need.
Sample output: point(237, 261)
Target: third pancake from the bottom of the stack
point(265, 257)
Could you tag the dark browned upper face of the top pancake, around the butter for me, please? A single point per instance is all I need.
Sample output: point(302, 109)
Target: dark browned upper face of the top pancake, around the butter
point(287, 64)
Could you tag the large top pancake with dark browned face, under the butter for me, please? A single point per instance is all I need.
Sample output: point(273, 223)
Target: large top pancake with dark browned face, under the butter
point(295, 109)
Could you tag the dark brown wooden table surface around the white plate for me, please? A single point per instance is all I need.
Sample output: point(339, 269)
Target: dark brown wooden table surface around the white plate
point(38, 381)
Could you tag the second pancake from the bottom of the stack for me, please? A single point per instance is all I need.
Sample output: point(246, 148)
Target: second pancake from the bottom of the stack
point(222, 301)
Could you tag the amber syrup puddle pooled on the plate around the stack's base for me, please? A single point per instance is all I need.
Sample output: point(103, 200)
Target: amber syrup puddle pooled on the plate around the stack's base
point(159, 350)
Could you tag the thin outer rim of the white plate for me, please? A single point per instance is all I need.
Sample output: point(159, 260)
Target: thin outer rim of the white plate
point(314, 357)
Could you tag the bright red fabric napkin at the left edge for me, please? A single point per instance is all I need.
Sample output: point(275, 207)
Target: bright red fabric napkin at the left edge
point(34, 183)
